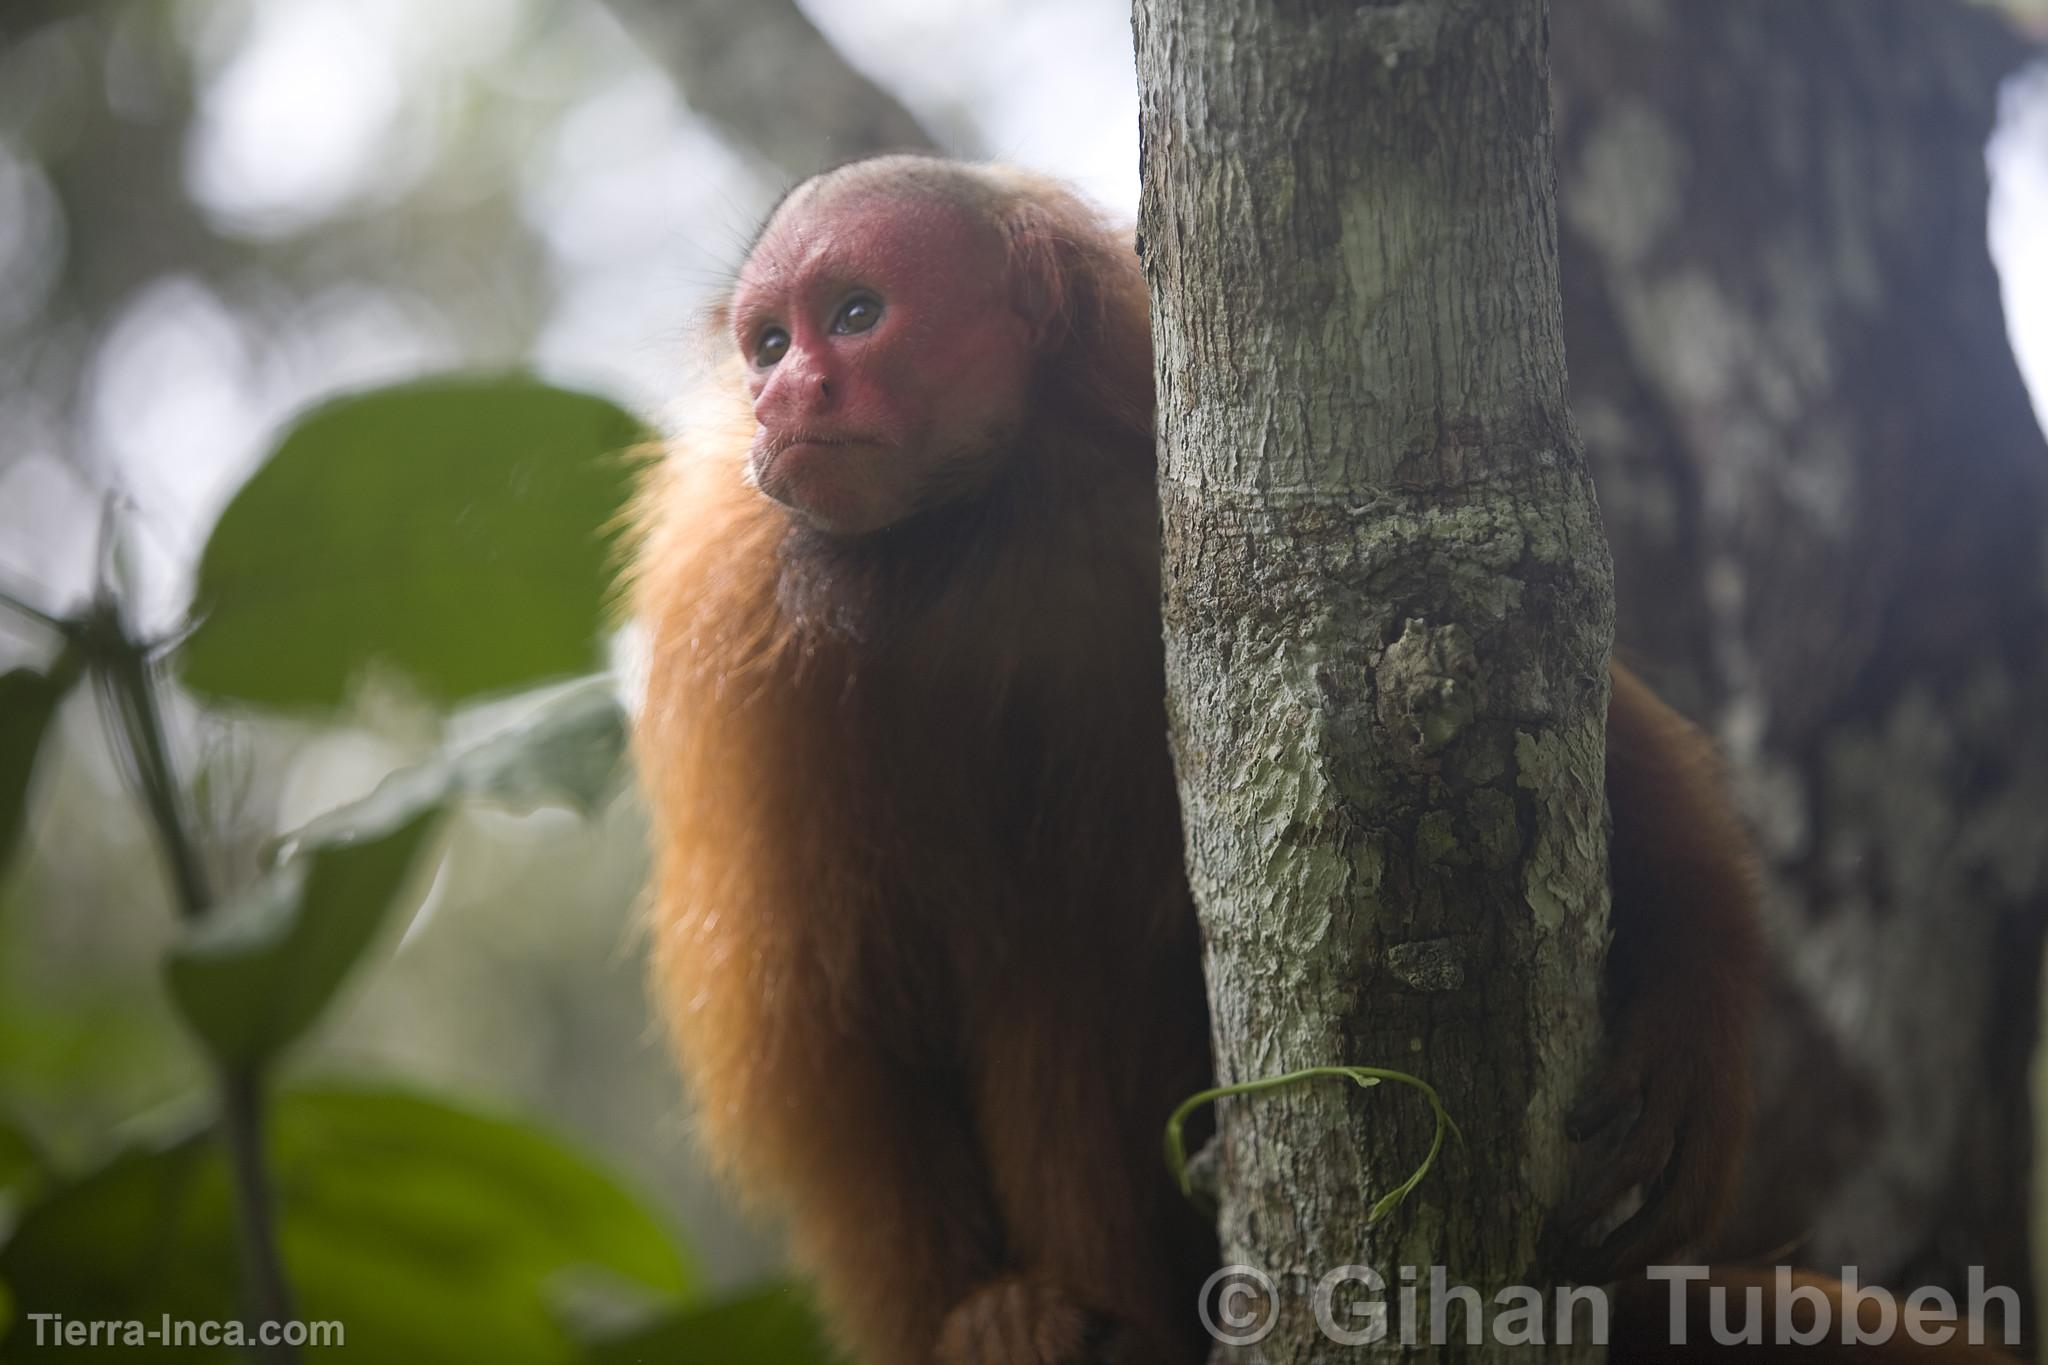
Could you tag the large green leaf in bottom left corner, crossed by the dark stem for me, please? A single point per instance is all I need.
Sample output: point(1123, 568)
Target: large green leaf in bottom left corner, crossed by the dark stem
point(429, 1233)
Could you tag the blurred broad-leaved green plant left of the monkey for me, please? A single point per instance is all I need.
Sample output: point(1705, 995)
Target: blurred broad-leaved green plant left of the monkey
point(427, 1231)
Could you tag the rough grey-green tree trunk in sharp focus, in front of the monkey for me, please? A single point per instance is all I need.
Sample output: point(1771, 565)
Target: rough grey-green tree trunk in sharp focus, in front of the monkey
point(1388, 613)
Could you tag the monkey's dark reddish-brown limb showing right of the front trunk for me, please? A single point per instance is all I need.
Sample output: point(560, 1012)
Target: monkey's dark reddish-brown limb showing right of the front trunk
point(1670, 1106)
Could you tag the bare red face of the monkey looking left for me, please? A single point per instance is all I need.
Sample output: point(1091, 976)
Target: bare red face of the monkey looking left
point(886, 357)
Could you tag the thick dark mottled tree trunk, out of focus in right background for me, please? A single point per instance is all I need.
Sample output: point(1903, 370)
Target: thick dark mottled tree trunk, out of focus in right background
point(1828, 500)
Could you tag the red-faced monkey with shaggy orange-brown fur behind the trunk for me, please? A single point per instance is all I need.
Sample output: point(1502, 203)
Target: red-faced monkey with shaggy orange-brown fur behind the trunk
point(921, 922)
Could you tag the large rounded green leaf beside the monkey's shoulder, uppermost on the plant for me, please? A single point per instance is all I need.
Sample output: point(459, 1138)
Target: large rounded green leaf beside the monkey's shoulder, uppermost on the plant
point(454, 529)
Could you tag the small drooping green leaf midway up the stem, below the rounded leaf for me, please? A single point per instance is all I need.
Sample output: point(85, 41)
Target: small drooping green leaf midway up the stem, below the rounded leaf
point(257, 973)
